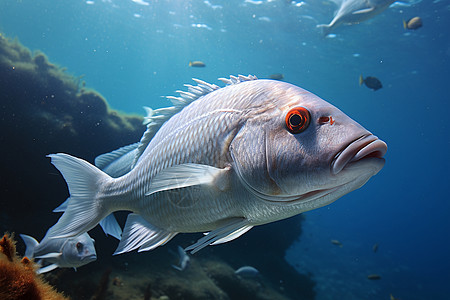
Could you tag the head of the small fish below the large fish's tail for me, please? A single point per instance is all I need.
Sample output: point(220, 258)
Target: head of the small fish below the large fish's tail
point(79, 251)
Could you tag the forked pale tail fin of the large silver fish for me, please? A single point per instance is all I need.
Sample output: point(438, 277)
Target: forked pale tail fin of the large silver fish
point(85, 209)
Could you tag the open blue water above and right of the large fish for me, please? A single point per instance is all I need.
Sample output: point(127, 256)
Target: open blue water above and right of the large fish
point(133, 54)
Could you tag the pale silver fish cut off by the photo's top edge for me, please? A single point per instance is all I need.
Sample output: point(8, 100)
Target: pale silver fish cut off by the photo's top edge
point(354, 11)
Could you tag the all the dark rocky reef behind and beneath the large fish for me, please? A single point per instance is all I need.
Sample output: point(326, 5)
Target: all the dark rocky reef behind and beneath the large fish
point(45, 110)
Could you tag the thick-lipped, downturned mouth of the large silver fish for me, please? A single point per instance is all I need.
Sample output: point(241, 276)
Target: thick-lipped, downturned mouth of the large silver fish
point(362, 148)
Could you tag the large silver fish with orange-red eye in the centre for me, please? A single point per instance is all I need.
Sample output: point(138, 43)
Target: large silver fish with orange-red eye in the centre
point(223, 160)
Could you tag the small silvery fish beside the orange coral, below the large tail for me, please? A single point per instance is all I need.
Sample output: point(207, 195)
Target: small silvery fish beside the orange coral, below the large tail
point(60, 252)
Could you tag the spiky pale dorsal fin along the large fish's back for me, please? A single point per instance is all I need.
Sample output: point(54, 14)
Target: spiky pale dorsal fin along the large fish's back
point(156, 118)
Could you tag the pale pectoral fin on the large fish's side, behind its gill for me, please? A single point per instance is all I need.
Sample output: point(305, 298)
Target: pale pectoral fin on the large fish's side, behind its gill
point(184, 175)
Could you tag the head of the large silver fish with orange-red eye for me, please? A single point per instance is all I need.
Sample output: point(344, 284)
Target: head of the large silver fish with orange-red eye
point(301, 150)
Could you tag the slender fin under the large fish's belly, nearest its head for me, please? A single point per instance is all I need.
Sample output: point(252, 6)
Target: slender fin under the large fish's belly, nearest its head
point(232, 229)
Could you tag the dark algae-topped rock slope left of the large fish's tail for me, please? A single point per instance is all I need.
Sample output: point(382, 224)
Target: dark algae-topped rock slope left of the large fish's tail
point(45, 110)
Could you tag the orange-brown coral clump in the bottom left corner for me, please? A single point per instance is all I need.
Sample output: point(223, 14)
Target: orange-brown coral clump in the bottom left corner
point(18, 279)
